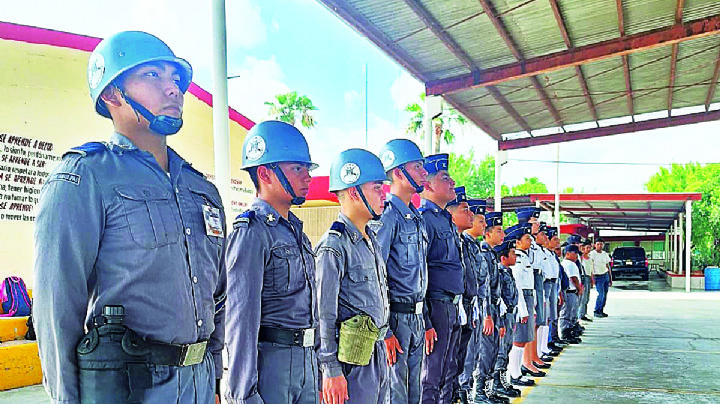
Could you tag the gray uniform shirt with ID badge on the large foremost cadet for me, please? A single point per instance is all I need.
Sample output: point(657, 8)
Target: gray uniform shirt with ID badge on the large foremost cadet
point(113, 228)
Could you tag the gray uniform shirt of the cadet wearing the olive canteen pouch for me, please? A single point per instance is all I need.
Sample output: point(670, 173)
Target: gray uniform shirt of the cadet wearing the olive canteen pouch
point(351, 280)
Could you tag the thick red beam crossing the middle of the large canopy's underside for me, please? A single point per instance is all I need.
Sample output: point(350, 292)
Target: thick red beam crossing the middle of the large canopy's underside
point(578, 56)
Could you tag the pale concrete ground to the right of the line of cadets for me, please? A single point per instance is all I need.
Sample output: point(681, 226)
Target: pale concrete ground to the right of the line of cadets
point(657, 346)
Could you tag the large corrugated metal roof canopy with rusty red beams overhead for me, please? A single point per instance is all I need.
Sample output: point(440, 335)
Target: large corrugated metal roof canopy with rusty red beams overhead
point(527, 71)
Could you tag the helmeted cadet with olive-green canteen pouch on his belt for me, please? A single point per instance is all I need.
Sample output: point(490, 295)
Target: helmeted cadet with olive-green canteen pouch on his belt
point(352, 288)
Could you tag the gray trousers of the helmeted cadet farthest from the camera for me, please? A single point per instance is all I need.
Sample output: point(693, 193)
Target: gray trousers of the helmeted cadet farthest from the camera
point(409, 329)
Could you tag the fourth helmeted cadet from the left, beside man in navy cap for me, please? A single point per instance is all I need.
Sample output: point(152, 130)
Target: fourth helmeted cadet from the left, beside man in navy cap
point(403, 243)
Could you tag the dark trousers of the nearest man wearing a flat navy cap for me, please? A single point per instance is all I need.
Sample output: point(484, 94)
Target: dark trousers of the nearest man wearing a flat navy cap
point(437, 380)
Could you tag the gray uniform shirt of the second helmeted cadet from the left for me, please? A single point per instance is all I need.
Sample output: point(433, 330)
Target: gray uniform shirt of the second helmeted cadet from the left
point(271, 282)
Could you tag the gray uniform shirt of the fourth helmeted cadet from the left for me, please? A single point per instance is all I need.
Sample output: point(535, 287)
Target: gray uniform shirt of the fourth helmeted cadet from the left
point(403, 243)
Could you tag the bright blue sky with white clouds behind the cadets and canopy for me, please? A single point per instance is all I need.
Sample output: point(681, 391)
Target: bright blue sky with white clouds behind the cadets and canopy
point(275, 46)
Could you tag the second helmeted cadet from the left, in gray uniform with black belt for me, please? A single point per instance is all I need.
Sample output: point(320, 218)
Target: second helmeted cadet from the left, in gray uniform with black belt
point(271, 307)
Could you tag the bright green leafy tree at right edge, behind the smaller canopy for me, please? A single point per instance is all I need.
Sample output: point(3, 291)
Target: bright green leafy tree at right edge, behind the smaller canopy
point(694, 177)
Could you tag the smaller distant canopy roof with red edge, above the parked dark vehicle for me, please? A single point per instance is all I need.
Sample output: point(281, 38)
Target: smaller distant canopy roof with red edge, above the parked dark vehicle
point(635, 212)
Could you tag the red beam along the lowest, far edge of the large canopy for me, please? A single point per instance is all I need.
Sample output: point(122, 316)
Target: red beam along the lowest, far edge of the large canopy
point(610, 130)
